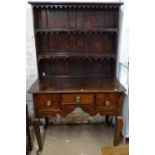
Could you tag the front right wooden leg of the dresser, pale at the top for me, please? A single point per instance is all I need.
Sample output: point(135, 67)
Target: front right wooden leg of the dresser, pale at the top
point(118, 129)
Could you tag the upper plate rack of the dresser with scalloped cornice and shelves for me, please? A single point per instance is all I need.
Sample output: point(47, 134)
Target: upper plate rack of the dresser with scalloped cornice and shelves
point(76, 39)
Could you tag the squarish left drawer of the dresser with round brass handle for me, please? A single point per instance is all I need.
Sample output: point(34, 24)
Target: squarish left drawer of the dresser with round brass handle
point(47, 102)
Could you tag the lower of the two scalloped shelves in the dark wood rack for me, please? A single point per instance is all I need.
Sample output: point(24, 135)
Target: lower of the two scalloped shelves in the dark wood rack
point(76, 55)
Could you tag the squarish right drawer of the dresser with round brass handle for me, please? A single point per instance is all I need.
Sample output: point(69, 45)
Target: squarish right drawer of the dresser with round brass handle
point(108, 101)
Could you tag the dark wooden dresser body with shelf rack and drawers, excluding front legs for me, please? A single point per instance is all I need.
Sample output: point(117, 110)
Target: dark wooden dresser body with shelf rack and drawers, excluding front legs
point(76, 48)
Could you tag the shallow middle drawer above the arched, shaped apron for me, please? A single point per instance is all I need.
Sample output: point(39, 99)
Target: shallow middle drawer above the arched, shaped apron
point(78, 99)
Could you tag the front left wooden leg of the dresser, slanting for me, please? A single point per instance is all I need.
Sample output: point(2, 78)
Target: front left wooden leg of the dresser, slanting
point(37, 133)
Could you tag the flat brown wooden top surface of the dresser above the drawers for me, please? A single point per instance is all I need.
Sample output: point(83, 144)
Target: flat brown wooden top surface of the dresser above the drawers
point(76, 85)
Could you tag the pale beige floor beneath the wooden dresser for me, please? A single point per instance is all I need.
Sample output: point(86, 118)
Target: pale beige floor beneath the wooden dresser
point(75, 139)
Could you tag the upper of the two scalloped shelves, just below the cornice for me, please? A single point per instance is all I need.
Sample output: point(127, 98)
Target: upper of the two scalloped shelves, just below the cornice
point(76, 31)
